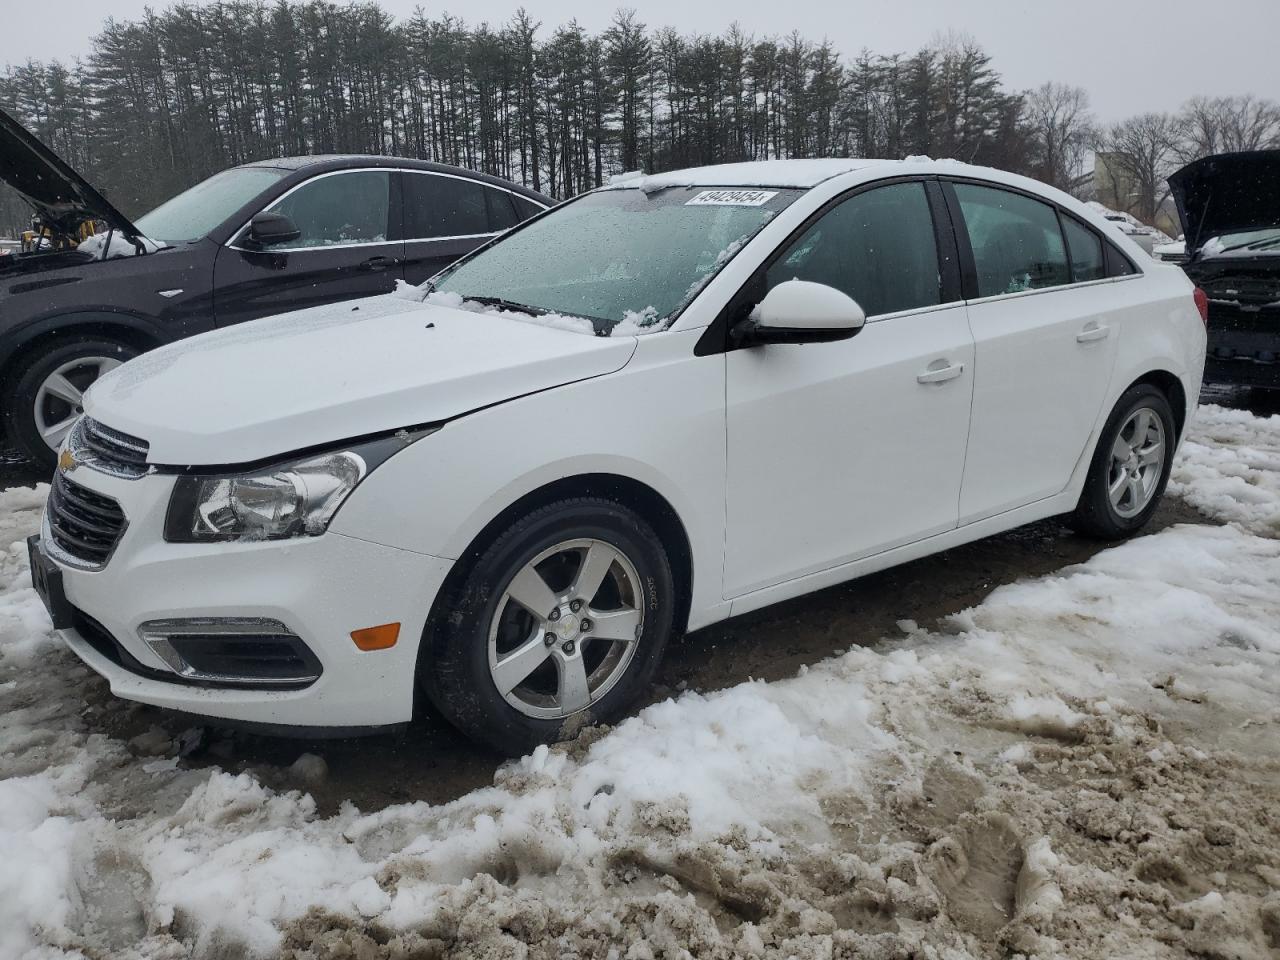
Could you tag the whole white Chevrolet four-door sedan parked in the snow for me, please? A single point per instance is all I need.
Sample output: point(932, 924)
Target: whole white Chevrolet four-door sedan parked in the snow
point(666, 403)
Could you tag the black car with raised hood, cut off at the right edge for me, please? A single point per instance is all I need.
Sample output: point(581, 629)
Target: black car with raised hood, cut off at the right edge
point(1229, 205)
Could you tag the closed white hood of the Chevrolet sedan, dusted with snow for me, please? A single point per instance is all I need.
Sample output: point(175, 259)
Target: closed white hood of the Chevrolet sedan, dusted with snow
point(328, 374)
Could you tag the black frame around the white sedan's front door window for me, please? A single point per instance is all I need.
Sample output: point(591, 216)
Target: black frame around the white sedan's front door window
point(716, 340)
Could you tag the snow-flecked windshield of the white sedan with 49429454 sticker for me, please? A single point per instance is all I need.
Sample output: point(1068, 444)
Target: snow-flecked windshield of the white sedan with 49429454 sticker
point(619, 255)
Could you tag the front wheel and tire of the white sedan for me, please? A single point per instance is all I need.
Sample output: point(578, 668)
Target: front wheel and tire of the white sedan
point(481, 625)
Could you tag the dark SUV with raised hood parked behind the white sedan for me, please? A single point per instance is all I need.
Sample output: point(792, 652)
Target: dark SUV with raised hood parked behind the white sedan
point(263, 239)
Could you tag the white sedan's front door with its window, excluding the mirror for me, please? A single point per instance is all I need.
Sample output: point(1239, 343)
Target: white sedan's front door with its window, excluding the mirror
point(840, 451)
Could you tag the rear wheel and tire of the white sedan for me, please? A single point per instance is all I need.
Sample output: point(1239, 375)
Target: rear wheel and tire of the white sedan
point(1099, 513)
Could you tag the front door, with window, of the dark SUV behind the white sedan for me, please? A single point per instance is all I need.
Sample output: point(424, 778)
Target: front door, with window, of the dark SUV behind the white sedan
point(349, 248)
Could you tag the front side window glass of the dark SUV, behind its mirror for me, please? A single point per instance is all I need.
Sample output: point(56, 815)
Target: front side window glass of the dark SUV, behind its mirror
point(339, 209)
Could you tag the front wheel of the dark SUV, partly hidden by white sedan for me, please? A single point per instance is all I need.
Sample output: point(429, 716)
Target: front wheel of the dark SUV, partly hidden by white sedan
point(81, 360)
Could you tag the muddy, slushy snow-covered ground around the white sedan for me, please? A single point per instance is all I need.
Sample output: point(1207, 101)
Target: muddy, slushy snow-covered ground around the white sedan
point(1086, 765)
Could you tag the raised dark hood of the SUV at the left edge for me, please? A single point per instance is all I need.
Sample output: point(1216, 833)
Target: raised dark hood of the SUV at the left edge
point(61, 196)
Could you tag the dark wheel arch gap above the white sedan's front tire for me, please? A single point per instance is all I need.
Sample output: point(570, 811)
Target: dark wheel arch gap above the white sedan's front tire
point(625, 491)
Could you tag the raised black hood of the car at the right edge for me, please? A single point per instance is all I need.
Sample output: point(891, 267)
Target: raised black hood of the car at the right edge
point(1228, 194)
